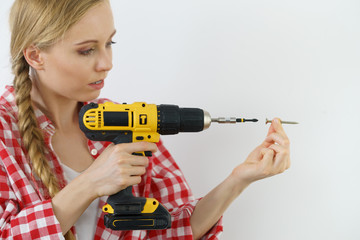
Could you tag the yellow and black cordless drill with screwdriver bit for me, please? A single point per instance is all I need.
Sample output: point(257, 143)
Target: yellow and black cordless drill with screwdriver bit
point(125, 123)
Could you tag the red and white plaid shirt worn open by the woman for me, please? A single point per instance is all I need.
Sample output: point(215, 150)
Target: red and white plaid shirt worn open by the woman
point(25, 206)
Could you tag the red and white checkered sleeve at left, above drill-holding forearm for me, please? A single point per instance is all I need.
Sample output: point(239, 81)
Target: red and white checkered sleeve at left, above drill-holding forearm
point(23, 215)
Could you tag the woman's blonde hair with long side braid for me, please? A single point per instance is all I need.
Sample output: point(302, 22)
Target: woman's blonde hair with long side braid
point(40, 23)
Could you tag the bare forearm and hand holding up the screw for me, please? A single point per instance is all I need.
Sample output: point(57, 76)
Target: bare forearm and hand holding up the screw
point(269, 158)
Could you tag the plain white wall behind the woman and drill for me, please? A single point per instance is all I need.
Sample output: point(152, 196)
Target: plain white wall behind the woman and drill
point(297, 60)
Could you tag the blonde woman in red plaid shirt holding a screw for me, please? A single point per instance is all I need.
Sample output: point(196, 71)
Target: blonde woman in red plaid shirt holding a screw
point(52, 178)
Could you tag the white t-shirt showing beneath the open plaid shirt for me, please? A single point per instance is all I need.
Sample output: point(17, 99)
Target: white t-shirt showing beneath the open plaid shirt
point(86, 224)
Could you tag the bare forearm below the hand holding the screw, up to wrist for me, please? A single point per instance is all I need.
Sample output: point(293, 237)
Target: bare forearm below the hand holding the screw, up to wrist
point(210, 208)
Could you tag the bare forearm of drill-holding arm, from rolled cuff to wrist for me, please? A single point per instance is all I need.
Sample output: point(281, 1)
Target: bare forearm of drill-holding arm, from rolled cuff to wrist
point(72, 201)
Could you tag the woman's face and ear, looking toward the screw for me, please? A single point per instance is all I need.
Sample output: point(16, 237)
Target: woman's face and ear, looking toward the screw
point(75, 68)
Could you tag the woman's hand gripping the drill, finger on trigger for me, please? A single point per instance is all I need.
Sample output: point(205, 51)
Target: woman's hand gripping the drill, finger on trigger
point(117, 168)
